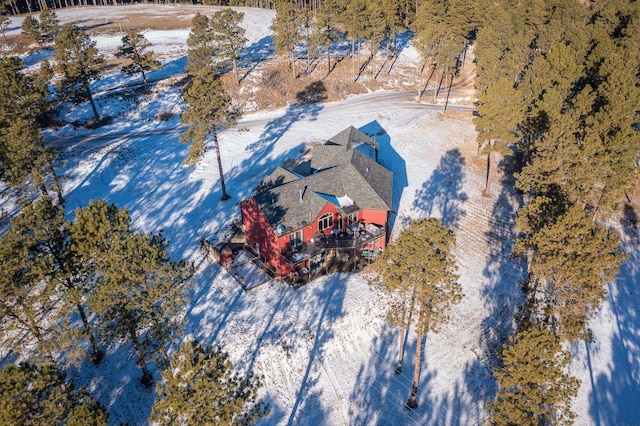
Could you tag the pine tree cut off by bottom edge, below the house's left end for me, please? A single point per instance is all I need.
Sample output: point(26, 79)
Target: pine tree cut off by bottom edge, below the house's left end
point(200, 387)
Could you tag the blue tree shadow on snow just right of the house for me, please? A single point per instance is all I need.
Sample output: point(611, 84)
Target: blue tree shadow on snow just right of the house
point(442, 195)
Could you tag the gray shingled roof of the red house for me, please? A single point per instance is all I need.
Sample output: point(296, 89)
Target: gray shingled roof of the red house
point(293, 202)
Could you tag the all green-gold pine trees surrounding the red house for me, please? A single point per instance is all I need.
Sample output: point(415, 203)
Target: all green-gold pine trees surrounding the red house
point(558, 83)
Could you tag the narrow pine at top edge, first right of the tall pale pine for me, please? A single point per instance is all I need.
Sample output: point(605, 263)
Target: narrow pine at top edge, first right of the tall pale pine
point(286, 31)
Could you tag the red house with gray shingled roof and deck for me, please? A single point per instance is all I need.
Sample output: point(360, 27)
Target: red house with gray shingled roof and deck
point(336, 203)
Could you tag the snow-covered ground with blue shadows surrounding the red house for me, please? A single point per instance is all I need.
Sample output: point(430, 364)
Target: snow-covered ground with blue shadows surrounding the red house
point(323, 352)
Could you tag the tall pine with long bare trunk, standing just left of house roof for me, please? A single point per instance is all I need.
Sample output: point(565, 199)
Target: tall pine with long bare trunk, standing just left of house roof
point(209, 109)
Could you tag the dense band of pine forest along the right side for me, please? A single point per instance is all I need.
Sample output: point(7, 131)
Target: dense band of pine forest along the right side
point(557, 88)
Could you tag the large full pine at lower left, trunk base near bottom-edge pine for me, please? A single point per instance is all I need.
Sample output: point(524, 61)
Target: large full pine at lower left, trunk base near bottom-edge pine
point(140, 293)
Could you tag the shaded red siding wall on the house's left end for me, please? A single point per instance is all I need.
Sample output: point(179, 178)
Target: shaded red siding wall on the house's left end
point(259, 231)
